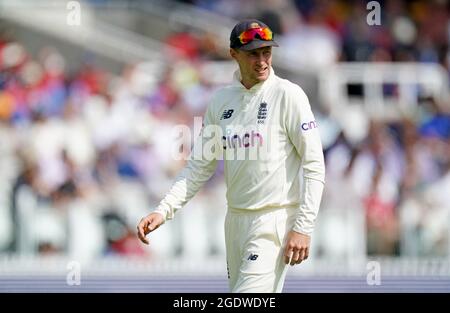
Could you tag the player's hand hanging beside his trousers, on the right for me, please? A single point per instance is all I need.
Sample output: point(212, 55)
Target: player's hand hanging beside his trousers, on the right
point(297, 248)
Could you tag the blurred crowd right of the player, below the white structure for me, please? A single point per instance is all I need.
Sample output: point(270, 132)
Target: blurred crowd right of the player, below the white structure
point(391, 187)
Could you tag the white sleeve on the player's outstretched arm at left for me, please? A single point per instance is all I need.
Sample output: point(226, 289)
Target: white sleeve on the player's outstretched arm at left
point(198, 170)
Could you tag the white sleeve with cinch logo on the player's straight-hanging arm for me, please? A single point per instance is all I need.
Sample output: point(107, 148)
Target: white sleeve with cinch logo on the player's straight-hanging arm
point(303, 132)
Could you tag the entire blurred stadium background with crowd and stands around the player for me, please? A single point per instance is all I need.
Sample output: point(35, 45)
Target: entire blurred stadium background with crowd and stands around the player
point(86, 119)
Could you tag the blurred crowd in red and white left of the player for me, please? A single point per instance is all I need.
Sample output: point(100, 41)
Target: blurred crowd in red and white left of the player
point(85, 155)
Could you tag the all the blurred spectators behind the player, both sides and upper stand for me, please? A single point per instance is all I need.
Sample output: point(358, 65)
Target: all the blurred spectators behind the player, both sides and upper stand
point(85, 155)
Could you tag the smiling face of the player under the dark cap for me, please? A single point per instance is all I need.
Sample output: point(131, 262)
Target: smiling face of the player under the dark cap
point(254, 64)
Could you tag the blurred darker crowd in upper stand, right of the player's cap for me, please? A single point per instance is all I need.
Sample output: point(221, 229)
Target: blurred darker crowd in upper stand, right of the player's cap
point(319, 32)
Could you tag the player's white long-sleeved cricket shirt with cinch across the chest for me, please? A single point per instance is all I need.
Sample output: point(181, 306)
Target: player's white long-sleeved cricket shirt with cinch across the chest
point(265, 135)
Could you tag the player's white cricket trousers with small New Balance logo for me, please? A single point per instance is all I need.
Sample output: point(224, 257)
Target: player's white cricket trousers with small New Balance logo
point(254, 243)
